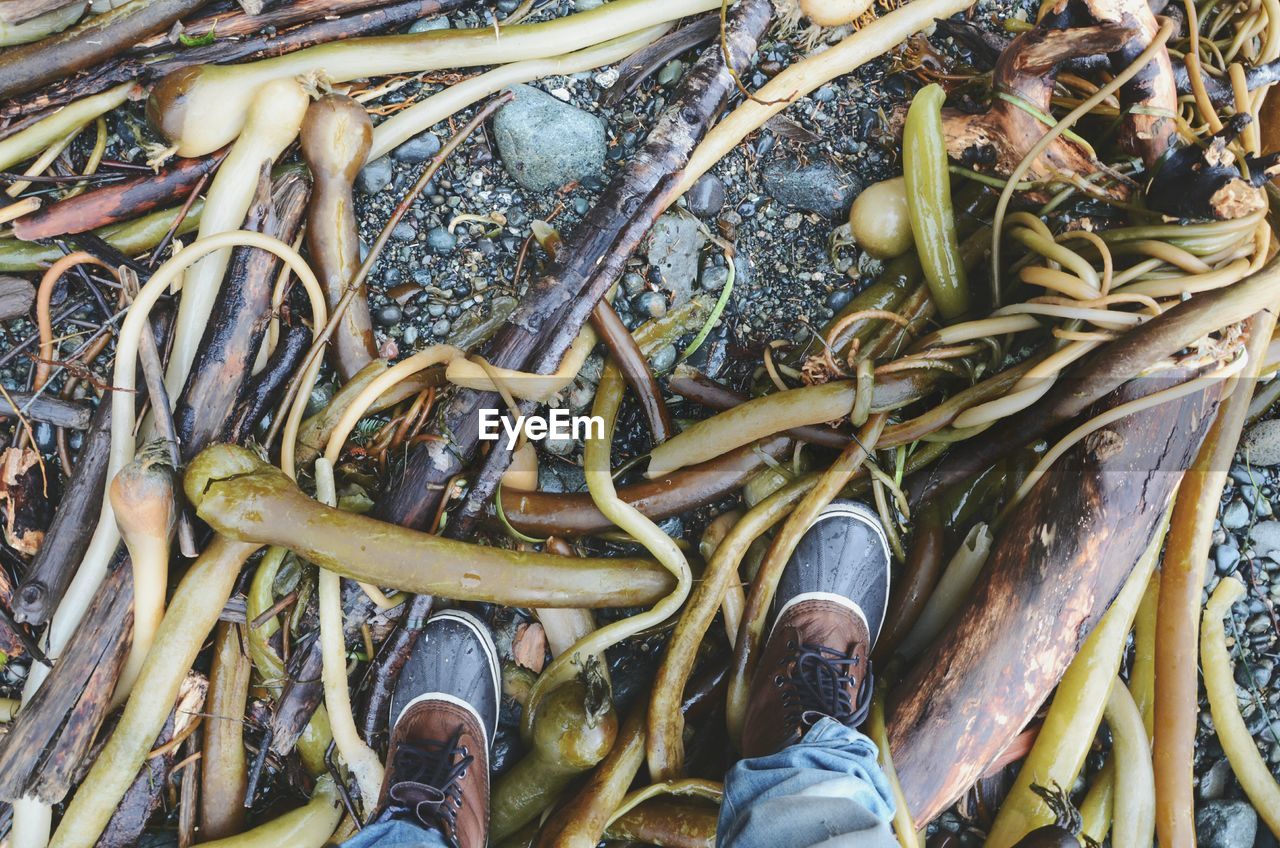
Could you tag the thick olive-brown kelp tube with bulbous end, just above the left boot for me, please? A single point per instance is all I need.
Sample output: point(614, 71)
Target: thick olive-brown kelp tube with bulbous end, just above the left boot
point(245, 499)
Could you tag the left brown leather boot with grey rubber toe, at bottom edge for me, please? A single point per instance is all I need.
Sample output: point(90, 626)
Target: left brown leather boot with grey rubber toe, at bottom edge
point(445, 714)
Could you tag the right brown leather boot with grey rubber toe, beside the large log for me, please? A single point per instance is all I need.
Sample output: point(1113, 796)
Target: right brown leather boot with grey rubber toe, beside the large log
point(831, 605)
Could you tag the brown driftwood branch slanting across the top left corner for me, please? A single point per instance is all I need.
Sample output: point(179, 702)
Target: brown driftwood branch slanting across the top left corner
point(33, 66)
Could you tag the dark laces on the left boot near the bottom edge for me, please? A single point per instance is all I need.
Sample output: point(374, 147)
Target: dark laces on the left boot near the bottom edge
point(432, 790)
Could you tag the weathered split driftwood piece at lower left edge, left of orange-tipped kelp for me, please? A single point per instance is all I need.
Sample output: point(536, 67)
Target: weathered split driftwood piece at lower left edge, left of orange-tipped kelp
point(51, 737)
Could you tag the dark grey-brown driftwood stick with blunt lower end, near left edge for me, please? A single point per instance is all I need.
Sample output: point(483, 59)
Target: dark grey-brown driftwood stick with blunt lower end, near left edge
point(68, 536)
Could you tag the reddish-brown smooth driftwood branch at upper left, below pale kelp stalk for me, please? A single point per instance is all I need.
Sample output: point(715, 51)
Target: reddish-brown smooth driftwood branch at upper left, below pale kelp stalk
point(117, 203)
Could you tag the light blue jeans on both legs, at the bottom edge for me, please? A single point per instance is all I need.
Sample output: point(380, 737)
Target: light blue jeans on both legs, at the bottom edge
point(826, 790)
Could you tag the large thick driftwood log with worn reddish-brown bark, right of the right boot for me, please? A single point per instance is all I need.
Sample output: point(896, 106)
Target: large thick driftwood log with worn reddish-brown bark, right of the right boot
point(1055, 568)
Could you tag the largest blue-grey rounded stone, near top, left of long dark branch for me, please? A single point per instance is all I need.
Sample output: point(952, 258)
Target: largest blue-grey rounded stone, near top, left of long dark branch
point(546, 144)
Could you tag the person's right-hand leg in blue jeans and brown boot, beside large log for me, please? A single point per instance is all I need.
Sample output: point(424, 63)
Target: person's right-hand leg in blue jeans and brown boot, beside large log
point(810, 778)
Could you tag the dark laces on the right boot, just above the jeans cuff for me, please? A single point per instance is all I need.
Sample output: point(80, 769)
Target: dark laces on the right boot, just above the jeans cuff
point(821, 683)
